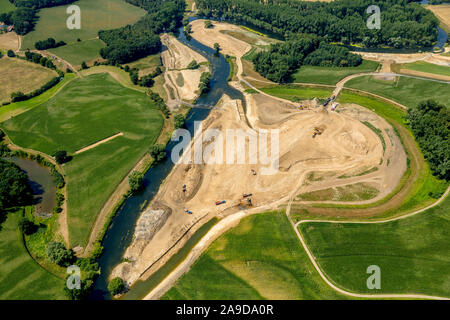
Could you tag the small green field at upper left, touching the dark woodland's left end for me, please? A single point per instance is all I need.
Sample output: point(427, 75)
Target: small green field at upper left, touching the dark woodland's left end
point(78, 52)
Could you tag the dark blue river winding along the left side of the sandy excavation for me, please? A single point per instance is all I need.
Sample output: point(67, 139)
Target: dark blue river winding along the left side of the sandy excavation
point(120, 234)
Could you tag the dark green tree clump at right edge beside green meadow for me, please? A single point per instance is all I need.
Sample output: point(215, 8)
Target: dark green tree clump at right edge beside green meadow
point(430, 123)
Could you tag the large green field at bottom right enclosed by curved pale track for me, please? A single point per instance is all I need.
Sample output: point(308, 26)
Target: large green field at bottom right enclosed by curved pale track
point(412, 253)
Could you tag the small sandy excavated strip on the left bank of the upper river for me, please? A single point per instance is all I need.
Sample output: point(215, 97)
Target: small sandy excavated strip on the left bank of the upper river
point(181, 83)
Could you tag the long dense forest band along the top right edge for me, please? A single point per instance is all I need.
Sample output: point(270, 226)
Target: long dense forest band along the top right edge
point(403, 22)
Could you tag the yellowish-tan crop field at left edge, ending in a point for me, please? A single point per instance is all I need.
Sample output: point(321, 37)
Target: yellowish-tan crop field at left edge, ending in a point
point(22, 76)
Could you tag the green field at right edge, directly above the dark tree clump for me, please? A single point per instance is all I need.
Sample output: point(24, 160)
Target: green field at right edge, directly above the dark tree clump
point(407, 91)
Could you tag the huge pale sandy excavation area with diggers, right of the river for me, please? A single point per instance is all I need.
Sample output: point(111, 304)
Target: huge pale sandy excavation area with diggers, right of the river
point(346, 146)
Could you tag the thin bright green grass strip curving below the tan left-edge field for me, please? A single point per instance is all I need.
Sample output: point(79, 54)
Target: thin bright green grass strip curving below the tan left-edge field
point(17, 108)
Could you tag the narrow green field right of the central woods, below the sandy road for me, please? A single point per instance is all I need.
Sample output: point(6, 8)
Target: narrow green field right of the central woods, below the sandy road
point(331, 75)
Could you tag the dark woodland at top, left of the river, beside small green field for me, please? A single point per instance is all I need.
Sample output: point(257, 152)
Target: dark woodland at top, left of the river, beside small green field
point(132, 42)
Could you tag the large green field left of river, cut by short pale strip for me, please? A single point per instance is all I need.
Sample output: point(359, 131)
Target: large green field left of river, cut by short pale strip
point(85, 111)
